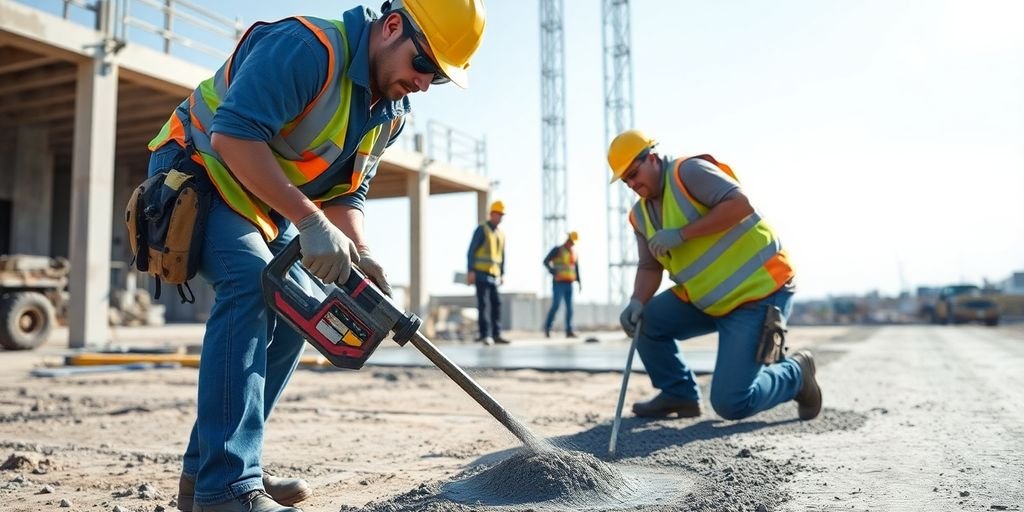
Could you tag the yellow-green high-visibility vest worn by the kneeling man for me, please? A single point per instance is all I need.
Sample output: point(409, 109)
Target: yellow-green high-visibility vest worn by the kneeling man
point(721, 272)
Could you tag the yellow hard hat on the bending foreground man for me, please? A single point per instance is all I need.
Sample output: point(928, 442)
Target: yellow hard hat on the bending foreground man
point(454, 30)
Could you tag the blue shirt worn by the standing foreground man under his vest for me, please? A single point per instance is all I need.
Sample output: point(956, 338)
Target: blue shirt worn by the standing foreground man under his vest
point(280, 68)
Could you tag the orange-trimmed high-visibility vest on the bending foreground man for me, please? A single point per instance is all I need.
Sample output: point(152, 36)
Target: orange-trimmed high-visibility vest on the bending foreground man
point(306, 147)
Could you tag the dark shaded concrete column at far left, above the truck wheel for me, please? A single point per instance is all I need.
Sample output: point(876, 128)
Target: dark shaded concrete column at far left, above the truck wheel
point(33, 193)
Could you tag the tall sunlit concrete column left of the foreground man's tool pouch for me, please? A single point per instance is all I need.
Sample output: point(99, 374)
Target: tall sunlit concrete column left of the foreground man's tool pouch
point(93, 198)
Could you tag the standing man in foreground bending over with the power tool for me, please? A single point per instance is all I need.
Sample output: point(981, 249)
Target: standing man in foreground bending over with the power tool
point(291, 131)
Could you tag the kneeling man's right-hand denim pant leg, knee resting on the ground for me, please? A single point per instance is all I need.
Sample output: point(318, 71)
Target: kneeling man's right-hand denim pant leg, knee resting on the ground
point(742, 387)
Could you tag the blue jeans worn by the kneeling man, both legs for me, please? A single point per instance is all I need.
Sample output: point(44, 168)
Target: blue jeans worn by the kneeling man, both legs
point(741, 387)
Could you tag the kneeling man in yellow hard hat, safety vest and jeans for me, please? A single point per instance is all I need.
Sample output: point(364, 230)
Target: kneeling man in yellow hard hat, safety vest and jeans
point(731, 271)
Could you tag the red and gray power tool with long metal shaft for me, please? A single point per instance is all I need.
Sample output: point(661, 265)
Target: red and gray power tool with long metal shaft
point(350, 322)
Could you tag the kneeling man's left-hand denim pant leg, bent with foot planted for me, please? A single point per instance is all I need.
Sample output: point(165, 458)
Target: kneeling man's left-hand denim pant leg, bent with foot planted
point(666, 319)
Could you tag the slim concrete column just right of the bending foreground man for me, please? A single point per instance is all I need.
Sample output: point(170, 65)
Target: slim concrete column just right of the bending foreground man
point(418, 192)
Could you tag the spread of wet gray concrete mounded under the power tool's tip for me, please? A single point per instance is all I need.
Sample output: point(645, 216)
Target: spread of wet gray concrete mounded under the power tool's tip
point(664, 465)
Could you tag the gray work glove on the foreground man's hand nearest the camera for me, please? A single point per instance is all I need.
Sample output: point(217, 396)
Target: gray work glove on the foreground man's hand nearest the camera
point(326, 251)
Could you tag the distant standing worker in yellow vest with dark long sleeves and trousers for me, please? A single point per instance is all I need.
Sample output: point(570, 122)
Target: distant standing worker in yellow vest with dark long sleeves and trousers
point(486, 270)
